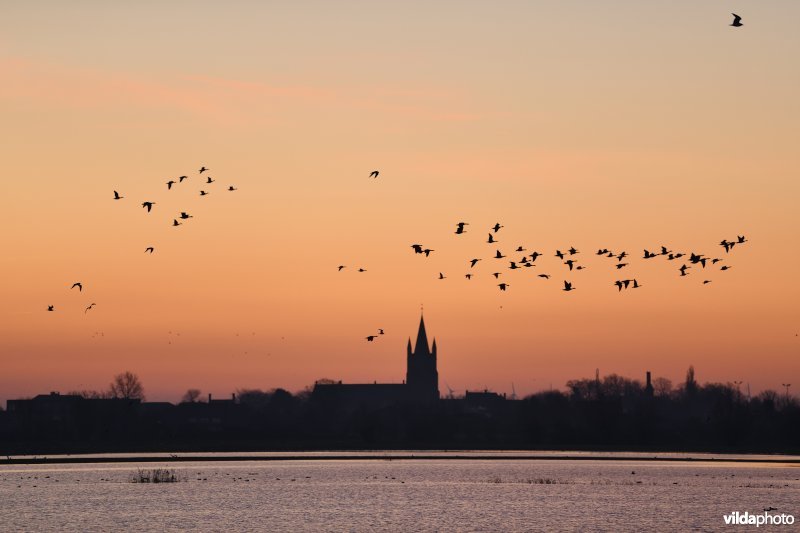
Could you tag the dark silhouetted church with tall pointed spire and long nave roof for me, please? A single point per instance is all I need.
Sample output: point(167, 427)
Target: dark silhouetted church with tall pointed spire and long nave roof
point(421, 385)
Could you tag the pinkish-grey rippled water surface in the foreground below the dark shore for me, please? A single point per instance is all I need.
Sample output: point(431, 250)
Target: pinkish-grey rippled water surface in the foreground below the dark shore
point(480, 493)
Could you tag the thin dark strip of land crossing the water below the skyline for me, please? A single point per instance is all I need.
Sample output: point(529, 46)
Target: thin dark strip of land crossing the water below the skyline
point(175, 458)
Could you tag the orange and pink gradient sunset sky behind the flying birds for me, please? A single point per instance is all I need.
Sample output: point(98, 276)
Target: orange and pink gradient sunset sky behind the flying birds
point(619, 124)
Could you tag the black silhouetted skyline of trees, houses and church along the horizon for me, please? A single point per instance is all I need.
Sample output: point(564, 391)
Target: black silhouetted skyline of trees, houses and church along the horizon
point(609, 412)
